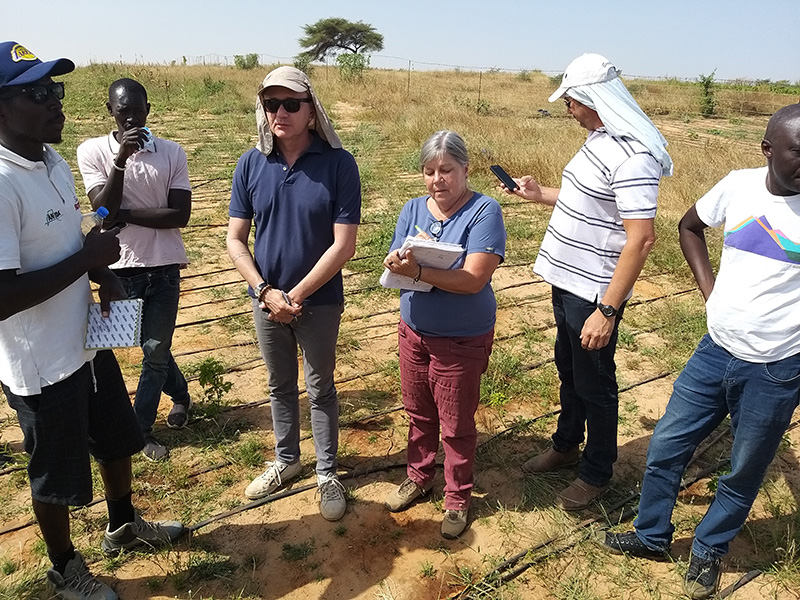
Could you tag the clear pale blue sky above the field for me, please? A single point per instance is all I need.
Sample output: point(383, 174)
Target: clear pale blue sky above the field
point(679, 38)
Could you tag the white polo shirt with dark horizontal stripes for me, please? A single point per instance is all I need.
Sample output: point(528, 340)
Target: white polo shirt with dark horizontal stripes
point(610, 179)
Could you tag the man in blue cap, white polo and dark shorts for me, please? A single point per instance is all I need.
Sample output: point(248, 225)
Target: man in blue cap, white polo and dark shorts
point(70, 402)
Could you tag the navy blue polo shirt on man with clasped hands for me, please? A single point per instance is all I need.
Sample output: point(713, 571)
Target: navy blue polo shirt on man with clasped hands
point(294, 209)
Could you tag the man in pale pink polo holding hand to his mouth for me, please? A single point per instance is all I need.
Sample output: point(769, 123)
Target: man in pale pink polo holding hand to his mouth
point(143, 181)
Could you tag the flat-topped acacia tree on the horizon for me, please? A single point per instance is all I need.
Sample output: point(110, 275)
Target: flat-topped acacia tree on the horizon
point(328, 36)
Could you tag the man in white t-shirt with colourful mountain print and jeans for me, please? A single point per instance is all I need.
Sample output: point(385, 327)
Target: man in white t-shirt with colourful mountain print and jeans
point(747, 366)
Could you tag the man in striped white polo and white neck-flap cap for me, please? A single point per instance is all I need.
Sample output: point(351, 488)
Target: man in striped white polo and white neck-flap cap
point(596, 243)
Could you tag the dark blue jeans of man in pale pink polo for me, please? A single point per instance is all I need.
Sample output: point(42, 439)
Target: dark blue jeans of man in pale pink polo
point(160, 288)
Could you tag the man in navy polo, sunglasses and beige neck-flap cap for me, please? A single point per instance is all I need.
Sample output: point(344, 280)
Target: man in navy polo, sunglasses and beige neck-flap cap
point(303, 193)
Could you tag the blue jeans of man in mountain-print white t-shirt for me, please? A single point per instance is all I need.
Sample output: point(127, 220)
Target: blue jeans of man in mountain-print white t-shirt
point(760, 398)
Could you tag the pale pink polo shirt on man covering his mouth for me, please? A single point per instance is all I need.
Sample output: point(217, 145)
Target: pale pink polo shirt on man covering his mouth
point(149, 176)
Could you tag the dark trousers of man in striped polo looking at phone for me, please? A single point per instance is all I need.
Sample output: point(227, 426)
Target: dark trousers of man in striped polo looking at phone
point(588, 393)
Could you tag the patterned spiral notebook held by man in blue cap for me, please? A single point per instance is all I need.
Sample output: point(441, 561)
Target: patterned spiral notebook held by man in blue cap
point(120, 329)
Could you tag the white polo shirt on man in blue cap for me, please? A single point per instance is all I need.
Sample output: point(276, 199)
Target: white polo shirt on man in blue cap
point(39, 227)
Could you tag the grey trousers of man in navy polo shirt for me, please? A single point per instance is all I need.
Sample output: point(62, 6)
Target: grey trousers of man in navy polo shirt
point(316, 332)
